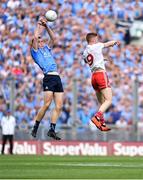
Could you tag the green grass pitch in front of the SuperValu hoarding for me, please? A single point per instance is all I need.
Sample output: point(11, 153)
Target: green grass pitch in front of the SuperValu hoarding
point(70, 167)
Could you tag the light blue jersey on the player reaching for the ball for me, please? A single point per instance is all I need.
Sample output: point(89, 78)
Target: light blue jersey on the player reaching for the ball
point(44, 58)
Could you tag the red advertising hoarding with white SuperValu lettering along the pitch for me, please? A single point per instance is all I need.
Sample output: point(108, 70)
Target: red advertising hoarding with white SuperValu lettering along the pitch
point(77, 148)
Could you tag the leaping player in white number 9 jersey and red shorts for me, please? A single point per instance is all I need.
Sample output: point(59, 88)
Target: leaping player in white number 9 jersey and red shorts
point(93, 56)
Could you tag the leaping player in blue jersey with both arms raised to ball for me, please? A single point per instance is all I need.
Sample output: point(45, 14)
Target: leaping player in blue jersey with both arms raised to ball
point(52, 85)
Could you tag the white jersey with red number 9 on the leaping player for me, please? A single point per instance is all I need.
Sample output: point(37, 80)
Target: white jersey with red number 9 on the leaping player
point(94, 57)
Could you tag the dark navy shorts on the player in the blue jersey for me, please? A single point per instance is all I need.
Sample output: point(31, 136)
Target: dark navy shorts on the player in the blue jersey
point(52, 83)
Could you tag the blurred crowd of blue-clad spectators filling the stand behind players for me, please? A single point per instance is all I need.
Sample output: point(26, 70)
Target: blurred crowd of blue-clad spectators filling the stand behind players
point(18, 20)
